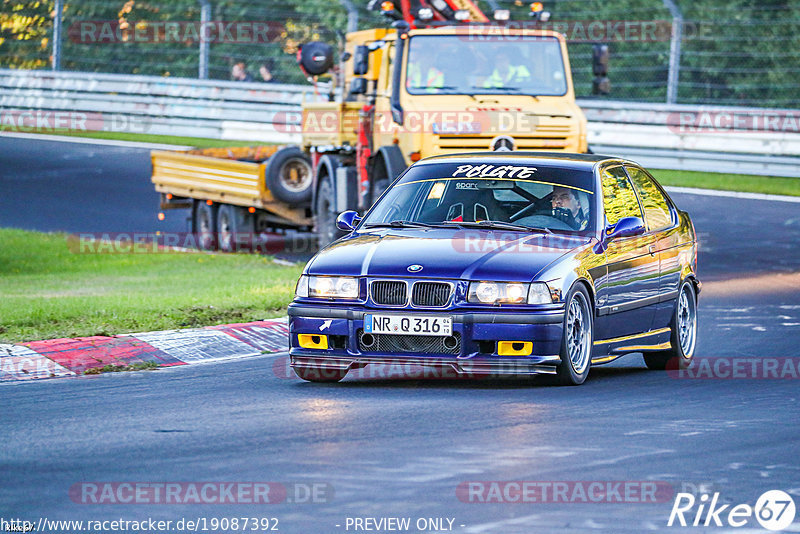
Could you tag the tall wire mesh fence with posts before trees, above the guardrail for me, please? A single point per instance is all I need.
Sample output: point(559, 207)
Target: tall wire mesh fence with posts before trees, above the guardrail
point(736, 52)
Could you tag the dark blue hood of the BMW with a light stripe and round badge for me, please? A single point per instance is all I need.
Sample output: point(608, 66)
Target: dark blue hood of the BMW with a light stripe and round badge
point(451, 254)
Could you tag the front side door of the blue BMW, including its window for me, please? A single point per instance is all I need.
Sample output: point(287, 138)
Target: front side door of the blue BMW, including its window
point(631, 285)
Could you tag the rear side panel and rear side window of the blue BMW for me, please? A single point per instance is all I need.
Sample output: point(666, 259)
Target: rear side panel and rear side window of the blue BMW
point(662, 222)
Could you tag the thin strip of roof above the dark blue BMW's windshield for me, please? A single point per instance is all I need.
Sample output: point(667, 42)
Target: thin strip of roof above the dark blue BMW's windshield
point(555, 159)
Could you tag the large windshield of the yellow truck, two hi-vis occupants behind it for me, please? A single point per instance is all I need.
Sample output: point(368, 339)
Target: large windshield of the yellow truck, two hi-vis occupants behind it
point(454, 64)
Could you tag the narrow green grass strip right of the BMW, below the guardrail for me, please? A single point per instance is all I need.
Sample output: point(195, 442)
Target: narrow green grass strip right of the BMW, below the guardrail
point(771, 185)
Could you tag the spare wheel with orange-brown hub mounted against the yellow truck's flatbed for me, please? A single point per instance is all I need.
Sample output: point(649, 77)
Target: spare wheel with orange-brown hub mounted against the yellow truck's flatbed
point(289, 176)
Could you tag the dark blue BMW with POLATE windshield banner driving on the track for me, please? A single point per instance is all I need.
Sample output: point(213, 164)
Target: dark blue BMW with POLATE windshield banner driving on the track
point(504, 264)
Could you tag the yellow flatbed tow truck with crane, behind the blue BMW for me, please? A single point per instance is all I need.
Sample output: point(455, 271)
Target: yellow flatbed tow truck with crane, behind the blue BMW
point(442, 79)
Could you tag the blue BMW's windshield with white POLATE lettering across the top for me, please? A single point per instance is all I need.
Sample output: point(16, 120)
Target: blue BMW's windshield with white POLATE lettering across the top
point(506, 197)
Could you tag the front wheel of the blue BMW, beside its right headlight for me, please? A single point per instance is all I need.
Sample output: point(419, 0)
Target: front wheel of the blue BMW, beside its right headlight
point(577, 340)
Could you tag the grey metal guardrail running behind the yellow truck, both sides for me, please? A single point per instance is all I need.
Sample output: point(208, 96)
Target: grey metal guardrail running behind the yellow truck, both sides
point(705, 138)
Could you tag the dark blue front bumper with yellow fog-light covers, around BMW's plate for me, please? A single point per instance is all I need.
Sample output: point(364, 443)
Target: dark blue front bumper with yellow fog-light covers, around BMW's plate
point(478, 333)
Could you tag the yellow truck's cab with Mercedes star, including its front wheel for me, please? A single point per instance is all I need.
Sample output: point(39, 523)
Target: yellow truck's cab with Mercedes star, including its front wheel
point(412, 93)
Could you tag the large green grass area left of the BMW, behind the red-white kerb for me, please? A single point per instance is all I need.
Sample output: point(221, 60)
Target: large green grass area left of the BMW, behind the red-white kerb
point(50, 292)
